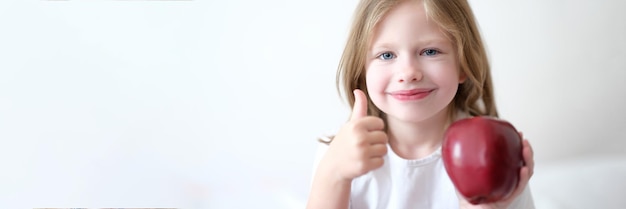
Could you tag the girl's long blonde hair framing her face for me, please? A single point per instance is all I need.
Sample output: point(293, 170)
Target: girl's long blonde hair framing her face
point(475, 95)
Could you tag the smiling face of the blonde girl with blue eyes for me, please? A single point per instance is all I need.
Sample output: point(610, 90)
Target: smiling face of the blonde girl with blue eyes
point(412, 69)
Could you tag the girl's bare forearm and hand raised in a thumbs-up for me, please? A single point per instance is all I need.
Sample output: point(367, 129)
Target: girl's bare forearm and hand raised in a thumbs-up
point(358, 148)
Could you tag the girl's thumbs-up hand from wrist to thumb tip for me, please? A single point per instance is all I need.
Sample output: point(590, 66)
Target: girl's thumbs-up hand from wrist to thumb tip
point(359, 146)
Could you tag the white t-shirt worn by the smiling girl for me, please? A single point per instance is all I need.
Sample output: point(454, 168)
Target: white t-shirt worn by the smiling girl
point(401, 183)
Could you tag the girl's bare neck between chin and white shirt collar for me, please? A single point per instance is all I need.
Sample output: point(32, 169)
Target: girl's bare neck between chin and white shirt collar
point(414, 140)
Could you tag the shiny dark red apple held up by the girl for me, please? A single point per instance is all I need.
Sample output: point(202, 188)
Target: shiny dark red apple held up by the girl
point(483, 157)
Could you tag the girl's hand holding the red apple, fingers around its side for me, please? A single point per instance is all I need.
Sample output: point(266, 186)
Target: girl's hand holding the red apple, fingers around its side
point(525, 173)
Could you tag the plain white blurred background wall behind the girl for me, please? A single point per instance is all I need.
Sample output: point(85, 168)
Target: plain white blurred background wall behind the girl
point(217, 104)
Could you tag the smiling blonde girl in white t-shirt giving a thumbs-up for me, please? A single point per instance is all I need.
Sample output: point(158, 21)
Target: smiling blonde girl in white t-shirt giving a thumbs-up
point(410, 68)
